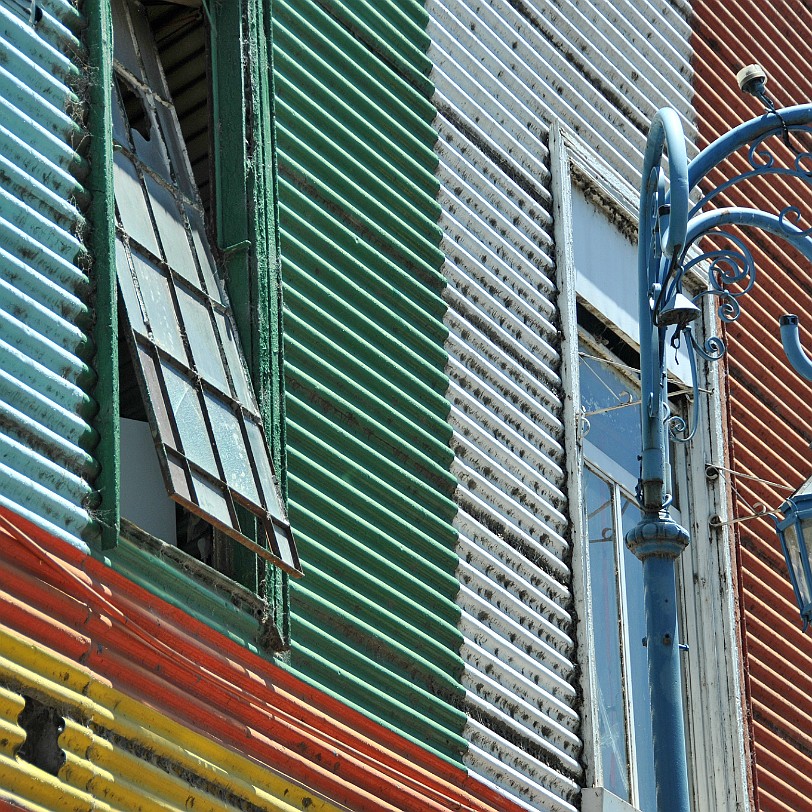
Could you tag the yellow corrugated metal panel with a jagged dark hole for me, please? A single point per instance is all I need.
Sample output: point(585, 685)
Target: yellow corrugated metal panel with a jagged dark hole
point(121, 754)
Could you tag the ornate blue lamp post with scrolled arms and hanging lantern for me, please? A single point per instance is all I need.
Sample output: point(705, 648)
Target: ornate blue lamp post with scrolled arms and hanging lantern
point(670, 228)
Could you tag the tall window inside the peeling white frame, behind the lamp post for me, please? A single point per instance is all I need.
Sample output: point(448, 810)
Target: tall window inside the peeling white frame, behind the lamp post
point(609, 435)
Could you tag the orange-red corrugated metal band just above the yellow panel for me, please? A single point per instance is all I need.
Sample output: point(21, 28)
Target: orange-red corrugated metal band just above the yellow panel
point(160, 655)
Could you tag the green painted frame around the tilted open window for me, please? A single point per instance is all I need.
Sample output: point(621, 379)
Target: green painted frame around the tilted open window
point(244, 169)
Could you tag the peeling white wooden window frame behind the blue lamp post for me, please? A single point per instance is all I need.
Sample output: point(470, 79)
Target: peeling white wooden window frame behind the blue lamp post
point(716, 730)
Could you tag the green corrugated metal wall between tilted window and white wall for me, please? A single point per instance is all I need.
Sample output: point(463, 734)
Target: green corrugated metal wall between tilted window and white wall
point(368, 442)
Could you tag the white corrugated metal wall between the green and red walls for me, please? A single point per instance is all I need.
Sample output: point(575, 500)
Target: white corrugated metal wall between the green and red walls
point(503, 71)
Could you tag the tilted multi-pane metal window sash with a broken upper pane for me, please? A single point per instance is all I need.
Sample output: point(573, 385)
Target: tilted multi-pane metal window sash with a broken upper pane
point(199, 400)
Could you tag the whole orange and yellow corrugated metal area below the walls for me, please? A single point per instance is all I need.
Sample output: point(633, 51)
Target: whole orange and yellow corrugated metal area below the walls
point(145, 689)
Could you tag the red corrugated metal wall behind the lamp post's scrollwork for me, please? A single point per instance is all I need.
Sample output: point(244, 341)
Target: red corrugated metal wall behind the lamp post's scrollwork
point(770, 407)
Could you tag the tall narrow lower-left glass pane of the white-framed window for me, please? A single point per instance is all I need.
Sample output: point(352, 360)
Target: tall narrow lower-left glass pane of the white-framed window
point(601, 530)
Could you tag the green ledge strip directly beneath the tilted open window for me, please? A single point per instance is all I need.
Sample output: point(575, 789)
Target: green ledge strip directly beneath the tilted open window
point(186, 583)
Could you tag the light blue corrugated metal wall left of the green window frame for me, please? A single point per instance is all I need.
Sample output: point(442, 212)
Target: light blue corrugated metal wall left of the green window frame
point(45, 437)
